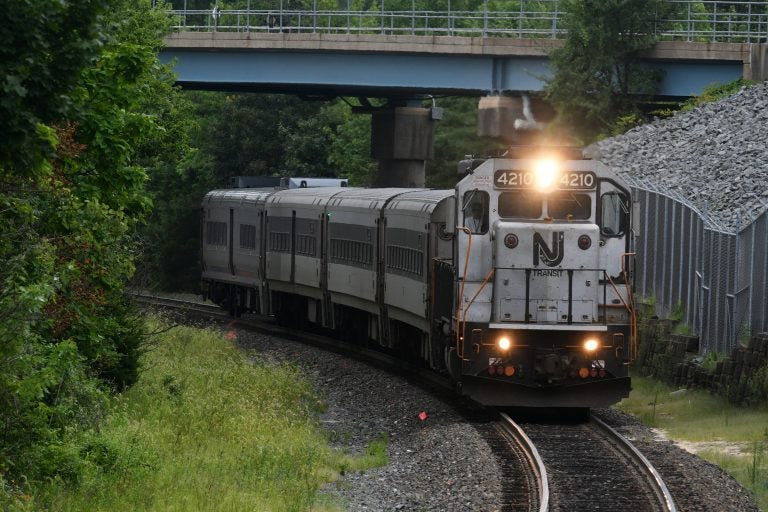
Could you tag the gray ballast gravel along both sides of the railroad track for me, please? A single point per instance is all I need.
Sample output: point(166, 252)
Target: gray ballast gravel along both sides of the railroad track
point(445, 463)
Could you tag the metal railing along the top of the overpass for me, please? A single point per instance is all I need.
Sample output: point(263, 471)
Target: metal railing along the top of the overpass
point(684, 20)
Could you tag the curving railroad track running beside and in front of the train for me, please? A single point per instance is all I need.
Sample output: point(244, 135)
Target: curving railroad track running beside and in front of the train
point(546, 467)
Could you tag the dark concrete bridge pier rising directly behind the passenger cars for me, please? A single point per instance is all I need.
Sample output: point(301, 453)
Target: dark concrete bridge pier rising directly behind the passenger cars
point(402, 140)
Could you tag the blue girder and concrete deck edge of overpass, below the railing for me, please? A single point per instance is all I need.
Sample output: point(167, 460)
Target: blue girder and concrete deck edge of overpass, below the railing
point(403, 65)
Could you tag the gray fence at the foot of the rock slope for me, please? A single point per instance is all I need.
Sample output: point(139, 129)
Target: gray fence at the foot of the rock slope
point(712, 279)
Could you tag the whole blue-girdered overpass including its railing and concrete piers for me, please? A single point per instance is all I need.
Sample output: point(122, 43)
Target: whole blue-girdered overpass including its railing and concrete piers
point(402, 55)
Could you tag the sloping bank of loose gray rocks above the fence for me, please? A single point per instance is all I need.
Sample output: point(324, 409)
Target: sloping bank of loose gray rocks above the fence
point(715, 156)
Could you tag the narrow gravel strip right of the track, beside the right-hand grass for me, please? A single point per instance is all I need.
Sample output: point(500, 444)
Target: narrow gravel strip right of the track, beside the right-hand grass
point(696, 485)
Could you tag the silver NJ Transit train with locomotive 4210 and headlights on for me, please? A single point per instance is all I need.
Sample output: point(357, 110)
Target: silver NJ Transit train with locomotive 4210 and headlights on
point(516, 284)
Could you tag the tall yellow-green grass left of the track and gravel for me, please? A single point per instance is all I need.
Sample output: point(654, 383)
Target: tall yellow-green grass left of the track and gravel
point(209, 428)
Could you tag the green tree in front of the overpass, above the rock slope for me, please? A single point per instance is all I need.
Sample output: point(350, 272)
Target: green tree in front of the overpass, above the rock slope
point(598, 77)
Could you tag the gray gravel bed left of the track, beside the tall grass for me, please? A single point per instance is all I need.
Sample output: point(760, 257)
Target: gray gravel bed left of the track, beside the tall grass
point(442, 464)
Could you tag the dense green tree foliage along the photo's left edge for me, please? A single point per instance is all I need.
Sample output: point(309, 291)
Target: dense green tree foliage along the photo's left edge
point(71, 196)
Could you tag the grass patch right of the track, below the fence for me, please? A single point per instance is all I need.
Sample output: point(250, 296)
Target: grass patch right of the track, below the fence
point(698, 416)
